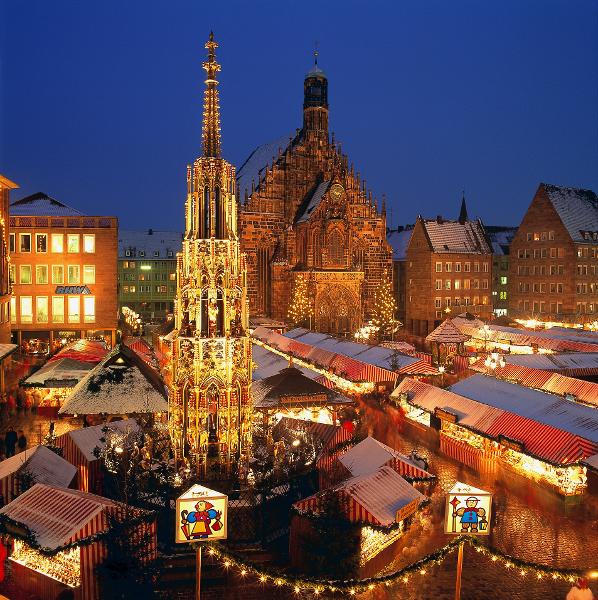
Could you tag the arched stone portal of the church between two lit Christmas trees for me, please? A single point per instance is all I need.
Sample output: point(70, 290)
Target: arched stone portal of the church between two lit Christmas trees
point(337, 310)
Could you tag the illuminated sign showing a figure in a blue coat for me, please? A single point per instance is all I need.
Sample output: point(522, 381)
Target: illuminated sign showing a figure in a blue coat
point(468, 510)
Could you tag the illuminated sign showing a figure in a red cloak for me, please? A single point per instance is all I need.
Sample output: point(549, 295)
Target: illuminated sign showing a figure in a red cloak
point(201, 515)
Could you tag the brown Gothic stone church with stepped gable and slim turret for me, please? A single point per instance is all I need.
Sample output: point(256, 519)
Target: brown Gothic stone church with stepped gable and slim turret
point(305, 213)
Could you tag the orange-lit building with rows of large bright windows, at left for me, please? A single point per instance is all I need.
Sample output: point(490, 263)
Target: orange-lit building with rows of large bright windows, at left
point(63, 270)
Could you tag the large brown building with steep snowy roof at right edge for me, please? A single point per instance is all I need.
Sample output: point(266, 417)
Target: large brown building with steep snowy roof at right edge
point(553, 268)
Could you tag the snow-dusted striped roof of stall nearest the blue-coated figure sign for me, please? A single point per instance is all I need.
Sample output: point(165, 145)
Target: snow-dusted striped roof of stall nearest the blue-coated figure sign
point(382, 493)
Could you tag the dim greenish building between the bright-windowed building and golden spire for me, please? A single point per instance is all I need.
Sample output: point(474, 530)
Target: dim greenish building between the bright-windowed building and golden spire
point(147, 271)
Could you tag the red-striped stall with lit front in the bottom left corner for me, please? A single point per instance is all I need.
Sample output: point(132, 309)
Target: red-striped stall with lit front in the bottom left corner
point(60, 536)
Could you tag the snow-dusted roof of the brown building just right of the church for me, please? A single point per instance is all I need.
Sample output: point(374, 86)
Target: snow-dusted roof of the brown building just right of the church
point(456, 237)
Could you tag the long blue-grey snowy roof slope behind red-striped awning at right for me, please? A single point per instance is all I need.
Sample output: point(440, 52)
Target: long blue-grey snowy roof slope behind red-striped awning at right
point(540, 406)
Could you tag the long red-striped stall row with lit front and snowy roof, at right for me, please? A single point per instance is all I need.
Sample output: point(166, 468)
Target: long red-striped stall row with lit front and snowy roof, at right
point(485, 422)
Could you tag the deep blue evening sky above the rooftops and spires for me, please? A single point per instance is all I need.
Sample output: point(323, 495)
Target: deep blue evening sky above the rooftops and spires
point(100, 102)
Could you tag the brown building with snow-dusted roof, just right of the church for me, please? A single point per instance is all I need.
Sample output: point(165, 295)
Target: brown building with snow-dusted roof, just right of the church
point(449, 270)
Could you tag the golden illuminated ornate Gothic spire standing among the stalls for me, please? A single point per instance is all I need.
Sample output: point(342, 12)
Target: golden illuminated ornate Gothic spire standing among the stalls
point(210, 405)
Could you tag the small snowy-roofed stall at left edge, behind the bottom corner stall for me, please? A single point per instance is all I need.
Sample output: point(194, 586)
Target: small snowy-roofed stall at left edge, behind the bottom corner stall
point(35, 465)
